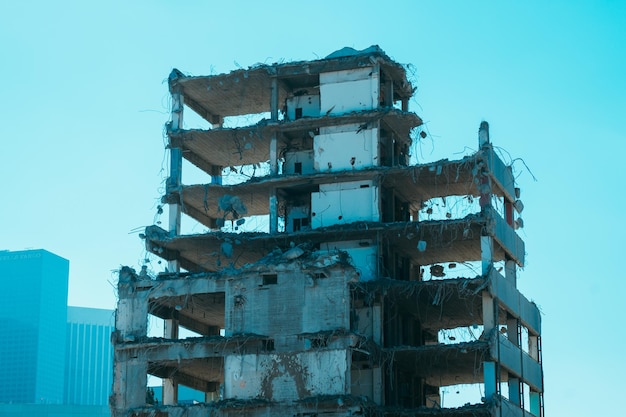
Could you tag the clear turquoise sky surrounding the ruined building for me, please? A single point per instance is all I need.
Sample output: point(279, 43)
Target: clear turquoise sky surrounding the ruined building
point(84, 101)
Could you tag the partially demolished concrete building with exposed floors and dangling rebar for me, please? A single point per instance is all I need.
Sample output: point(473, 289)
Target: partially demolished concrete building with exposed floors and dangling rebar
point(341, 307)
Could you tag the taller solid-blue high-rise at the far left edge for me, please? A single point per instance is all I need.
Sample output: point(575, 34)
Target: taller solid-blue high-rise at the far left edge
point(33, 313)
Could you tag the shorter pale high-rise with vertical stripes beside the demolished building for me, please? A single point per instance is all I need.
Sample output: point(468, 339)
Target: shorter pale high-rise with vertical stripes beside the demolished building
point(89, 356)
